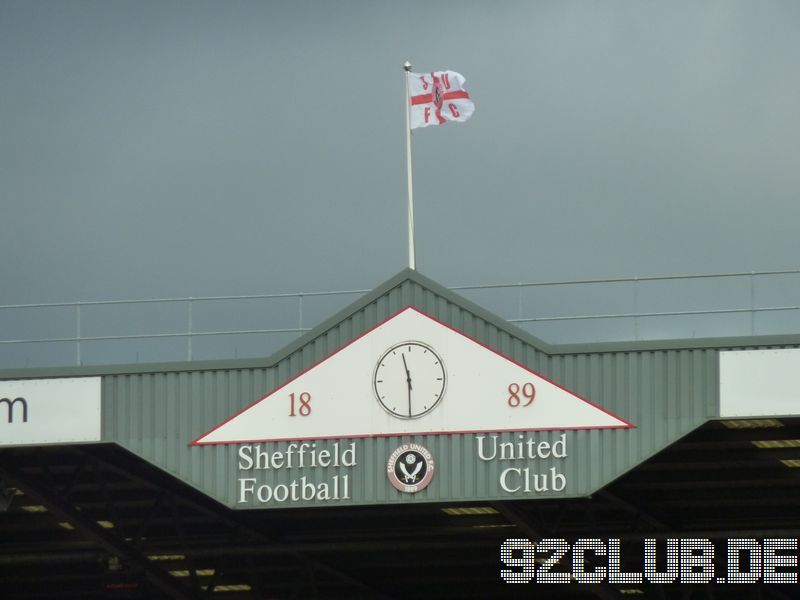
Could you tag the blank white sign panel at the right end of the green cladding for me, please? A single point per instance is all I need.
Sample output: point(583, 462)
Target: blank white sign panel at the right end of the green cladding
point(759, 383)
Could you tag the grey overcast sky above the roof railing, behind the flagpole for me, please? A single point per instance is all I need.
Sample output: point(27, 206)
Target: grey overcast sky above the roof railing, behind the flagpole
point(152, 149)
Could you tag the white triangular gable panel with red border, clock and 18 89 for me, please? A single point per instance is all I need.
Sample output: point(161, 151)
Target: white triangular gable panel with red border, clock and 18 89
point(411, 375)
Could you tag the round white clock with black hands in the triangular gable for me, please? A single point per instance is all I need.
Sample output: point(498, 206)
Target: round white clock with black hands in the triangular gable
point(409, 380)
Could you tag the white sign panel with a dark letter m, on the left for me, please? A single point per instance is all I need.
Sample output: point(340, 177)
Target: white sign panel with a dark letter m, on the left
point(49, 411)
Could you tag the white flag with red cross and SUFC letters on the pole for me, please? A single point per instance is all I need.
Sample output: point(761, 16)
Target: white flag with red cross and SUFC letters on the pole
point(438, 97)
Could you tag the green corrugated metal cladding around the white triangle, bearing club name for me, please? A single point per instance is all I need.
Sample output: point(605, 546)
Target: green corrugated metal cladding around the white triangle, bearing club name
point(665, 393)
